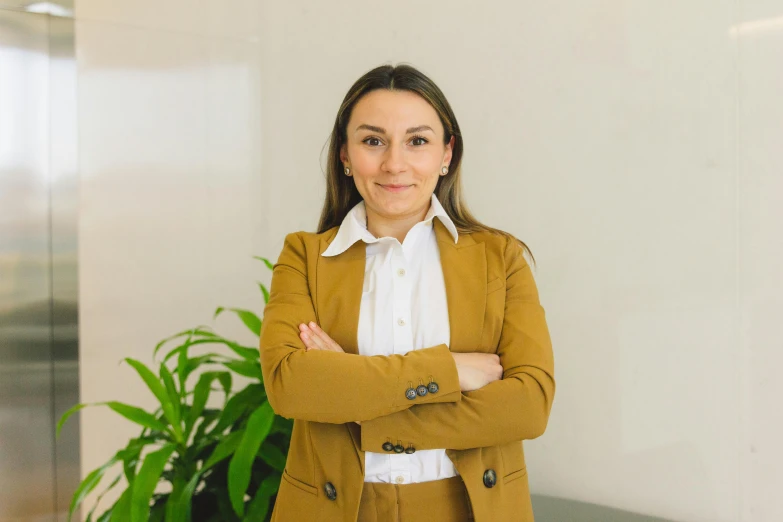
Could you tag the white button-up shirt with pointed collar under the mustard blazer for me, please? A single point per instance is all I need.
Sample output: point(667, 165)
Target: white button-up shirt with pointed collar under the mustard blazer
point(403, 308)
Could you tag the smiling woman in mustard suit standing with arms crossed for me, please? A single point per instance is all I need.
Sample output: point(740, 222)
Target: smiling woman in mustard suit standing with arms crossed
point(405, 338)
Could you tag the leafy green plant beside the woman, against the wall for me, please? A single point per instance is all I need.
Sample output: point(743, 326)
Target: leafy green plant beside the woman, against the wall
point(214, 464)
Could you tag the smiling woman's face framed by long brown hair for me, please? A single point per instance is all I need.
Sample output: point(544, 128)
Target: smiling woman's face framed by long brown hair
point(394, 148)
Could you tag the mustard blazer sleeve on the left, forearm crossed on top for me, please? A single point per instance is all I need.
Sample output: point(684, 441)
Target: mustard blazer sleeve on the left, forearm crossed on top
point(335, 387)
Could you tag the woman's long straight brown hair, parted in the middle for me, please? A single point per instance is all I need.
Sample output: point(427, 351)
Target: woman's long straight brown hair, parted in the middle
point(341, 192)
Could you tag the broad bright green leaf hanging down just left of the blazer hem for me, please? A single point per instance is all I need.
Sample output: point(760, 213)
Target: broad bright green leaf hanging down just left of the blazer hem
point(239, 469)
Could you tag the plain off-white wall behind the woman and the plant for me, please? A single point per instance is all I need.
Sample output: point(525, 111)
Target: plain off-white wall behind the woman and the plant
point(634, 145)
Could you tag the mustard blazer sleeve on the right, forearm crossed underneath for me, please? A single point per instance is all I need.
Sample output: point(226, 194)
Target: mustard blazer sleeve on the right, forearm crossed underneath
point(513, 408)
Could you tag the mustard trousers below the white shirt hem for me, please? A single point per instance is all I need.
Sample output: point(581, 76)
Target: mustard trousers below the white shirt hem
point(444, 500)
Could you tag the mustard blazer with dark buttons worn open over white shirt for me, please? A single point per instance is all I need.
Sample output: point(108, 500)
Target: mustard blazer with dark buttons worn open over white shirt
point(493, 307)
